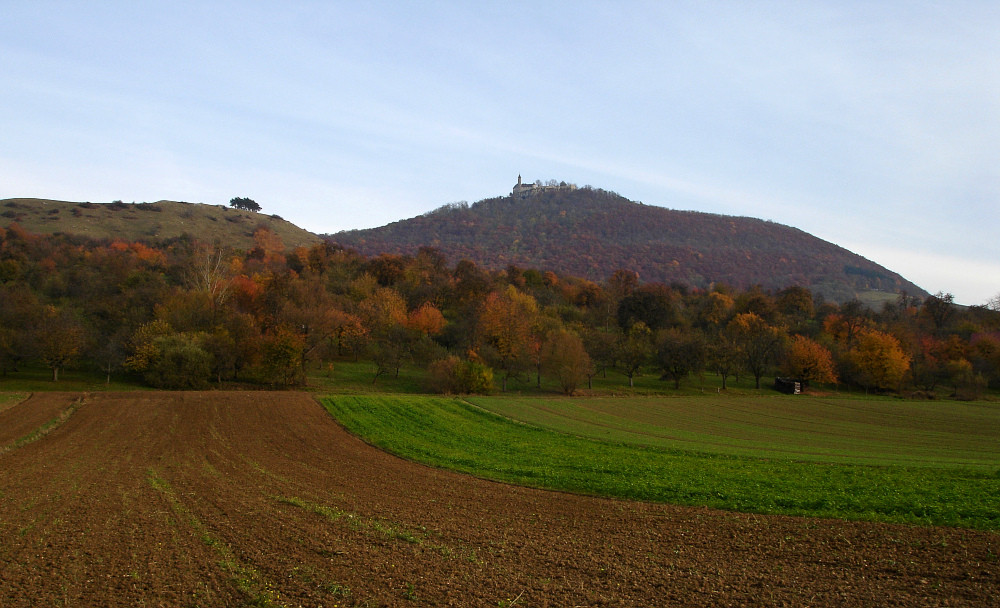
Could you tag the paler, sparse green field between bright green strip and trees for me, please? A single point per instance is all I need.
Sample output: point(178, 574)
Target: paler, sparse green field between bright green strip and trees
point(876, 431)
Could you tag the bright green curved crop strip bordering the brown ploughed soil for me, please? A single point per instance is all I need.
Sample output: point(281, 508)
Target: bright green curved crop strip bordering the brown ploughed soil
point(451, 434)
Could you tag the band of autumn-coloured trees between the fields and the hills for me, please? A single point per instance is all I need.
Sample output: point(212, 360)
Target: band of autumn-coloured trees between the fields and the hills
point(182, 314)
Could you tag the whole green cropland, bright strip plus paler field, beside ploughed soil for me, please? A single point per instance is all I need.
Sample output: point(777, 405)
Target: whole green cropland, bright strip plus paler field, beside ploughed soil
point(750, 455)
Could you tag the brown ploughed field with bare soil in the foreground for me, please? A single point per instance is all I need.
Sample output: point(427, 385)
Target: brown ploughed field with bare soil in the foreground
point(261, 499)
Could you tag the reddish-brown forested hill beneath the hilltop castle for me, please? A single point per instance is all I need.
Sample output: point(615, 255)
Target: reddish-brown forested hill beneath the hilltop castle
point(591, 233)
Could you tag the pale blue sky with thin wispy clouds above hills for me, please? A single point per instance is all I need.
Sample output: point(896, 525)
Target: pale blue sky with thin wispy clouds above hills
point(872, 125)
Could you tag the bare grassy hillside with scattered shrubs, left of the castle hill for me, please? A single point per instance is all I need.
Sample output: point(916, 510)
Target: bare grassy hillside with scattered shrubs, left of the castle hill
point(148, 221)
